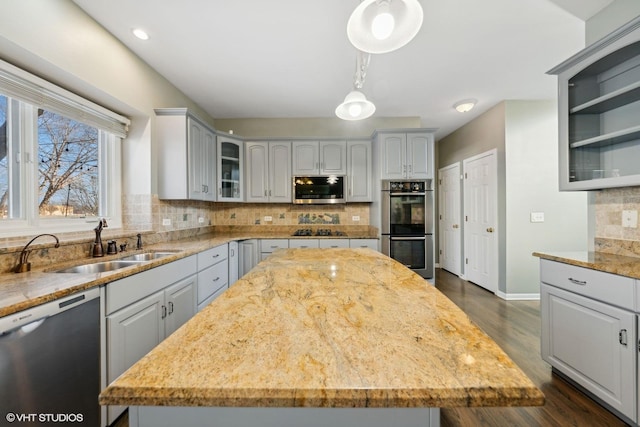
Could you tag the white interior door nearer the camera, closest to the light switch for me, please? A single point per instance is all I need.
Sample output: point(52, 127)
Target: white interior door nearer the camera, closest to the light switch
point(480, 220)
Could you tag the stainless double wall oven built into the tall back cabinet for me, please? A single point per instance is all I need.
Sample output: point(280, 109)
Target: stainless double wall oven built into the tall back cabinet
point(407, 224)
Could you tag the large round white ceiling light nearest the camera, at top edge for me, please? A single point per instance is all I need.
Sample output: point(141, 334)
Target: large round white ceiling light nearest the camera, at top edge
point(380, 26)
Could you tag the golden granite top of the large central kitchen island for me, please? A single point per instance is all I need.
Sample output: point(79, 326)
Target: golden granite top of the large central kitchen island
point(327, 328)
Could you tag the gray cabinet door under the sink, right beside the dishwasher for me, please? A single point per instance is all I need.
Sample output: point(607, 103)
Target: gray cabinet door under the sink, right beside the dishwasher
point(132, 332)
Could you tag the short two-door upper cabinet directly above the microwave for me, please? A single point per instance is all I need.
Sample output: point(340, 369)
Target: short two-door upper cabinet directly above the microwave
point(319, 157)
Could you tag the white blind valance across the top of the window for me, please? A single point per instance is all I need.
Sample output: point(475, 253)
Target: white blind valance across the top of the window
point(21, 85)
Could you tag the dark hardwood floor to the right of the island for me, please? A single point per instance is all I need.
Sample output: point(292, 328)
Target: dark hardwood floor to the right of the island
point(515, 326)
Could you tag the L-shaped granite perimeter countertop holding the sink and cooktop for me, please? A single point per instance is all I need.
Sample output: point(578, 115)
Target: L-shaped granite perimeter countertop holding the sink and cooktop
point(25, 290)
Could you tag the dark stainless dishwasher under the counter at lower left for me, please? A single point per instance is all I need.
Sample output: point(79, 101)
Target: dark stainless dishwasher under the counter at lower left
point(50, 363)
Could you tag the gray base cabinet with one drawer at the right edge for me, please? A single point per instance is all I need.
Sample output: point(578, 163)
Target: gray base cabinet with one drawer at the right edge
point(589, 332)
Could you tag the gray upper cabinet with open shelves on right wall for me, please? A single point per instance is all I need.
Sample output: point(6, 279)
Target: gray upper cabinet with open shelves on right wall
point(599, 113)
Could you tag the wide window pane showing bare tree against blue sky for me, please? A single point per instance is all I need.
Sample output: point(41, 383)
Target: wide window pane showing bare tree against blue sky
point(67, 167)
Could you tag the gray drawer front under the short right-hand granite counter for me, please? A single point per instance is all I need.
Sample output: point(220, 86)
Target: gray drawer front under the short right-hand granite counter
point(605, 287)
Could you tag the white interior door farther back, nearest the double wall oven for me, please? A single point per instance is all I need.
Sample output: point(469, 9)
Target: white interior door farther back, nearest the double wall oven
point(449, 217)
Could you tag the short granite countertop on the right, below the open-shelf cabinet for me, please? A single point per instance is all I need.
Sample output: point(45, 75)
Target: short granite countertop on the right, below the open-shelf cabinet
point(621, 265)
